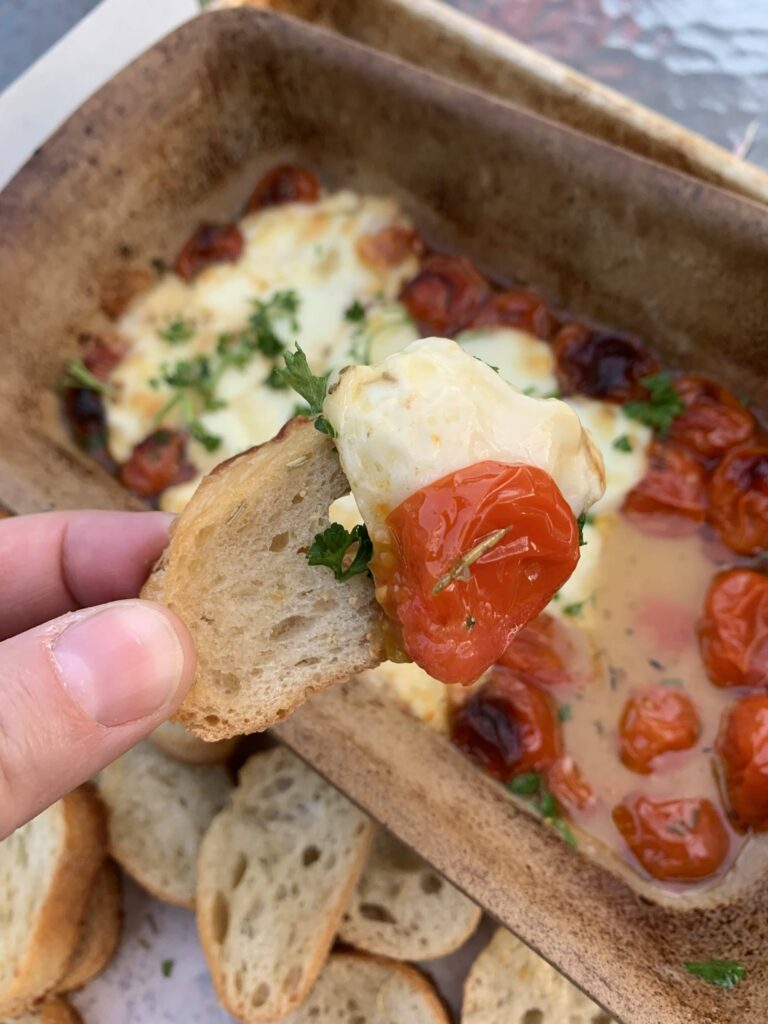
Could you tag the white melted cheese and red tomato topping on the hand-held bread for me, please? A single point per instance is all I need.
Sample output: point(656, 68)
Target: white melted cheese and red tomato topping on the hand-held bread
point(471, 491)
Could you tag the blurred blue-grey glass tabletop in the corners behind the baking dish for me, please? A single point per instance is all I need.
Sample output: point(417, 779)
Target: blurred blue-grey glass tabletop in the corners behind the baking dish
point(703, 63)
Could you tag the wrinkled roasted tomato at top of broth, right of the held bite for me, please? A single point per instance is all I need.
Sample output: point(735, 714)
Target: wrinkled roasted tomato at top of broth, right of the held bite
point(671, 499)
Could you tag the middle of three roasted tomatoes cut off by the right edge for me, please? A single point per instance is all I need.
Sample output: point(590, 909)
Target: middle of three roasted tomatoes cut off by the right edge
point(734, 629)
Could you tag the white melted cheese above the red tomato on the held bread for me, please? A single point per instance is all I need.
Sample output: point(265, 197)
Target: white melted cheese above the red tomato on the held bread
point(432, 410)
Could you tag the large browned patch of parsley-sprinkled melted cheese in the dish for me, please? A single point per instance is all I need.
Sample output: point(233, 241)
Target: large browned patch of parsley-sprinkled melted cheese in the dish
point(307, 248)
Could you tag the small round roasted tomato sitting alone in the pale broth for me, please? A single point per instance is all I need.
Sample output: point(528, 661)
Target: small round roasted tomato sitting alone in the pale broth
point(655, 722)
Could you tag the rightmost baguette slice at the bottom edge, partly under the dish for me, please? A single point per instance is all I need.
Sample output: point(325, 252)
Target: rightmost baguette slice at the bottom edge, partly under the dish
point(509, 984)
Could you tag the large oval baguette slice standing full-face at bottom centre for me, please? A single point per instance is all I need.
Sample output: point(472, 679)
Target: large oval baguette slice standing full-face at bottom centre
point(277, 869)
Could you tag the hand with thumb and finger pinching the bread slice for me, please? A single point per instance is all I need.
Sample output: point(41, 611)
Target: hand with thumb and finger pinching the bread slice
point(79, 690)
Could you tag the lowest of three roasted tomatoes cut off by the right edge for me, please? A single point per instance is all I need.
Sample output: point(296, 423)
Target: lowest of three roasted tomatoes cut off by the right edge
point(743, 749)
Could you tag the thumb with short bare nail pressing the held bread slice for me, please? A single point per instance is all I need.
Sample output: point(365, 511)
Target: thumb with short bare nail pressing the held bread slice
point(78, 692)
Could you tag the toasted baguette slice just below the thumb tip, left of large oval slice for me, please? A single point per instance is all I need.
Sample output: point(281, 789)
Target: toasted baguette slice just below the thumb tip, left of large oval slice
point(158, 813)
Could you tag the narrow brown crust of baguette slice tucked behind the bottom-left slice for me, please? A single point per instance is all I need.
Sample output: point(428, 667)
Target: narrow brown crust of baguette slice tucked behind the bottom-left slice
point(100, 935)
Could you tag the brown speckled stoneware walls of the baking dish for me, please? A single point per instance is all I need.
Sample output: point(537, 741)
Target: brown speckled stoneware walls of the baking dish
point(179, 138)
